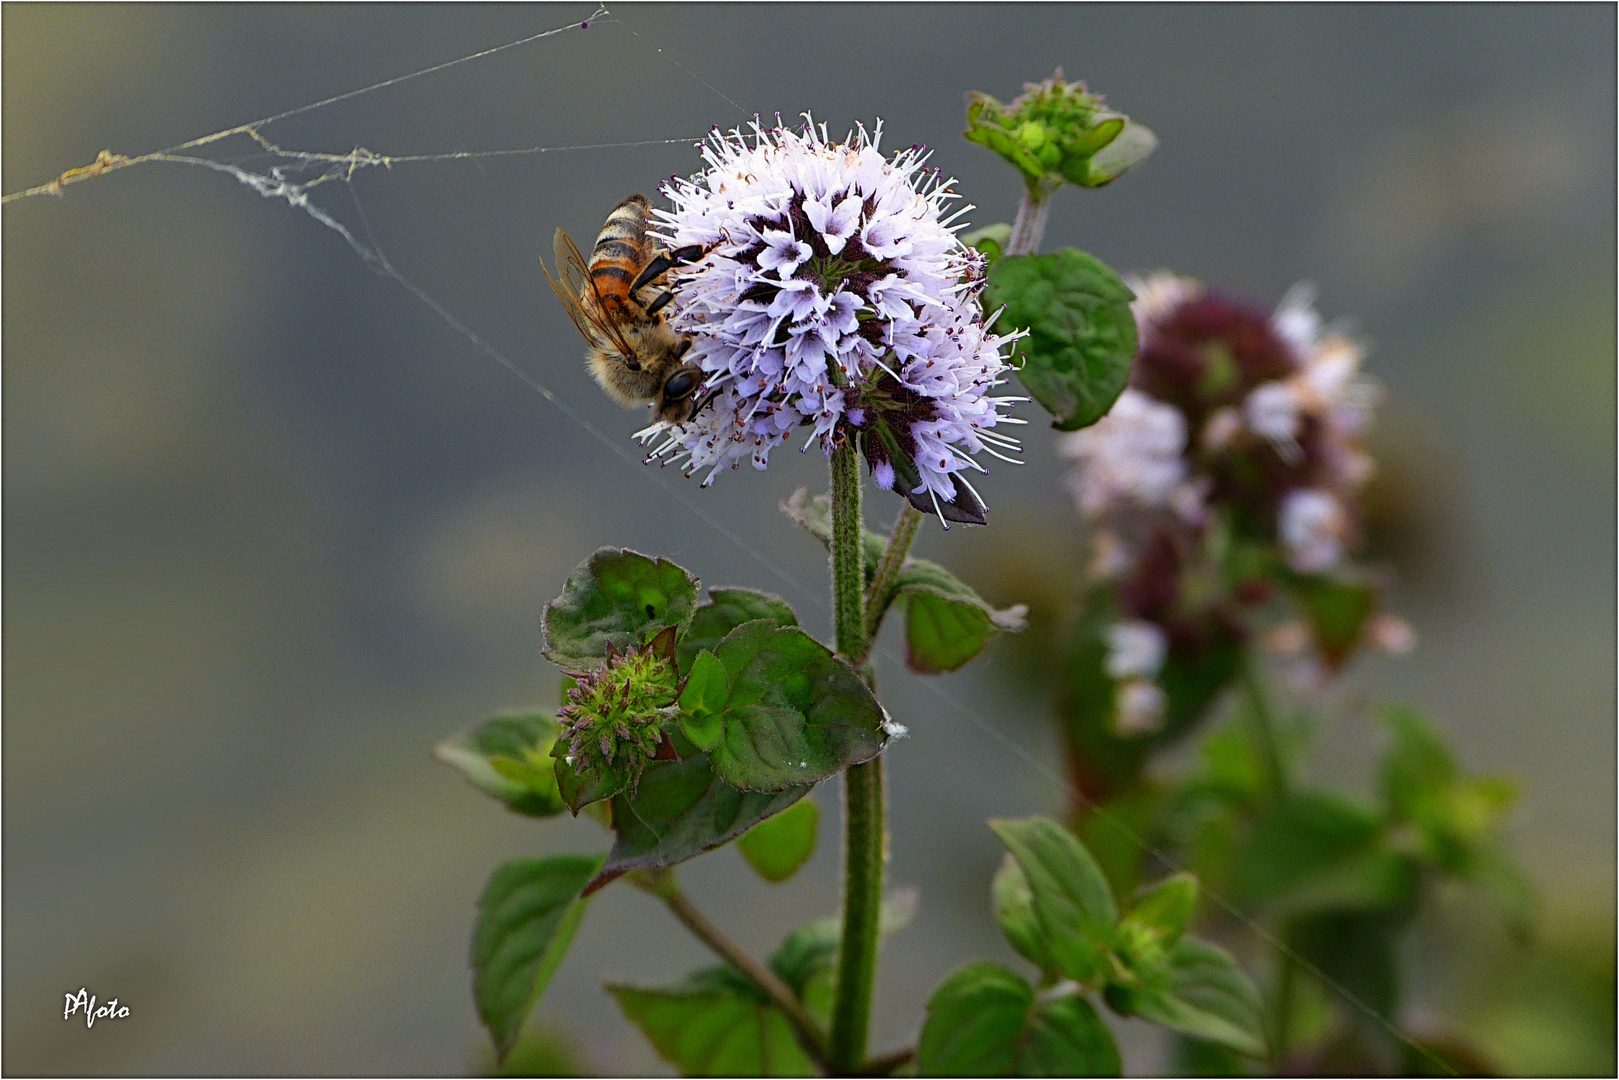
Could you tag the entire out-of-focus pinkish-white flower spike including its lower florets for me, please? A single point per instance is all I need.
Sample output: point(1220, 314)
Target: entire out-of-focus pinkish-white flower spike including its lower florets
point(1239, 425)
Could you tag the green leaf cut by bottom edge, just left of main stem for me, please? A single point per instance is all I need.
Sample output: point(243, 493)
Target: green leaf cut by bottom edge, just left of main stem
point(715, 1024)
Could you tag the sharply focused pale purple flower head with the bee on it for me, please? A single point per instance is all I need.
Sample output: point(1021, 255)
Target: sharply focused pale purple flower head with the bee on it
point(835, 297)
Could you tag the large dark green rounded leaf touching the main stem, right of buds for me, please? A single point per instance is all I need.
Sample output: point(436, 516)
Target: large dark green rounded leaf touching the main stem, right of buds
point(796, 715)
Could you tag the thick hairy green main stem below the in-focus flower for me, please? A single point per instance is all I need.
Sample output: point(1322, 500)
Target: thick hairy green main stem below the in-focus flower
point(864, 827)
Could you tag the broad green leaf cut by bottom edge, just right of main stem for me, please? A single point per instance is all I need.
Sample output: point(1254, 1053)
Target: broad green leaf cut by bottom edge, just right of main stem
point(985, 1021)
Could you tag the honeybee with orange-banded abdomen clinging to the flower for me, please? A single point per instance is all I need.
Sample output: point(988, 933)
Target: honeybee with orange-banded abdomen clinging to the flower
point(616, 300)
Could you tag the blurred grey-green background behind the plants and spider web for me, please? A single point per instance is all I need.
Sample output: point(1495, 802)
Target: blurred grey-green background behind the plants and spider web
point(273, 529)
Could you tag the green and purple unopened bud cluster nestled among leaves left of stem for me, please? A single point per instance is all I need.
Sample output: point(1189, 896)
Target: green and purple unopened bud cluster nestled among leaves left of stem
point(616, 715)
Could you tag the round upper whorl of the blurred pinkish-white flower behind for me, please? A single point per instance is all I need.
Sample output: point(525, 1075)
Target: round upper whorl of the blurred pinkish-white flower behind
point(1238, 409)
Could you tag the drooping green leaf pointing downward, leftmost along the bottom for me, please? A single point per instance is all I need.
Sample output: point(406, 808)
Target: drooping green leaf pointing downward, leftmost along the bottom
point(525, 922)
